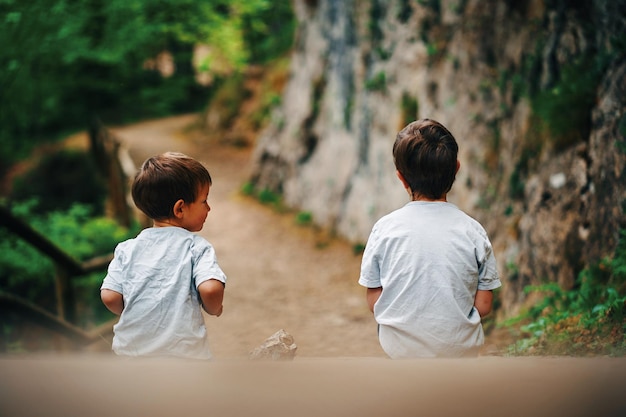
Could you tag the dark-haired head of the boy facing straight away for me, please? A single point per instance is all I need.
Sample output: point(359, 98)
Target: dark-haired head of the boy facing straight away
point(425, 154)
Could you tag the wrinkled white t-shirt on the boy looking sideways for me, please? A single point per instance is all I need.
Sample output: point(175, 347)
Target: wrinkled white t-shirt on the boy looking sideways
point(158, 273)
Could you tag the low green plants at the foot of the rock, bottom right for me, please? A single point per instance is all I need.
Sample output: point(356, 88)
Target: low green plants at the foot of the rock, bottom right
point(589, 319)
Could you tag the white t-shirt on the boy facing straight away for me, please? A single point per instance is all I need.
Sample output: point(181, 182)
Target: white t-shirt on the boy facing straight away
point(430, 258)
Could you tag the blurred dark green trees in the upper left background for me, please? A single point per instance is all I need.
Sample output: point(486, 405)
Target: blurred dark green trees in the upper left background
point(63, 62)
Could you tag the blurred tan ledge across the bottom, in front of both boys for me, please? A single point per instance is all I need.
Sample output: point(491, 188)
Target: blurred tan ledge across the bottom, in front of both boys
point(103, 385)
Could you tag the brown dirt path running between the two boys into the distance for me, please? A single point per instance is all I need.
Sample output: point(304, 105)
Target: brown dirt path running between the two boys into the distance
point(280, 275)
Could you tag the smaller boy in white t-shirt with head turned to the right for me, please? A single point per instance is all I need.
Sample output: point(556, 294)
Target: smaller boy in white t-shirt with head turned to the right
point(158, 281)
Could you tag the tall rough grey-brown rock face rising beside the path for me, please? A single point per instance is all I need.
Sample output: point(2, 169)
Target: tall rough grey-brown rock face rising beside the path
point(534, 91)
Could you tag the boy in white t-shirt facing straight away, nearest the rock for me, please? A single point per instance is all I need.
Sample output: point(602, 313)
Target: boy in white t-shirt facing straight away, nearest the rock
point(428, 267)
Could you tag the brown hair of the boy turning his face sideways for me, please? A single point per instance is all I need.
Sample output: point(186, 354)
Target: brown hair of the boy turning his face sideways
point(164, 179)
